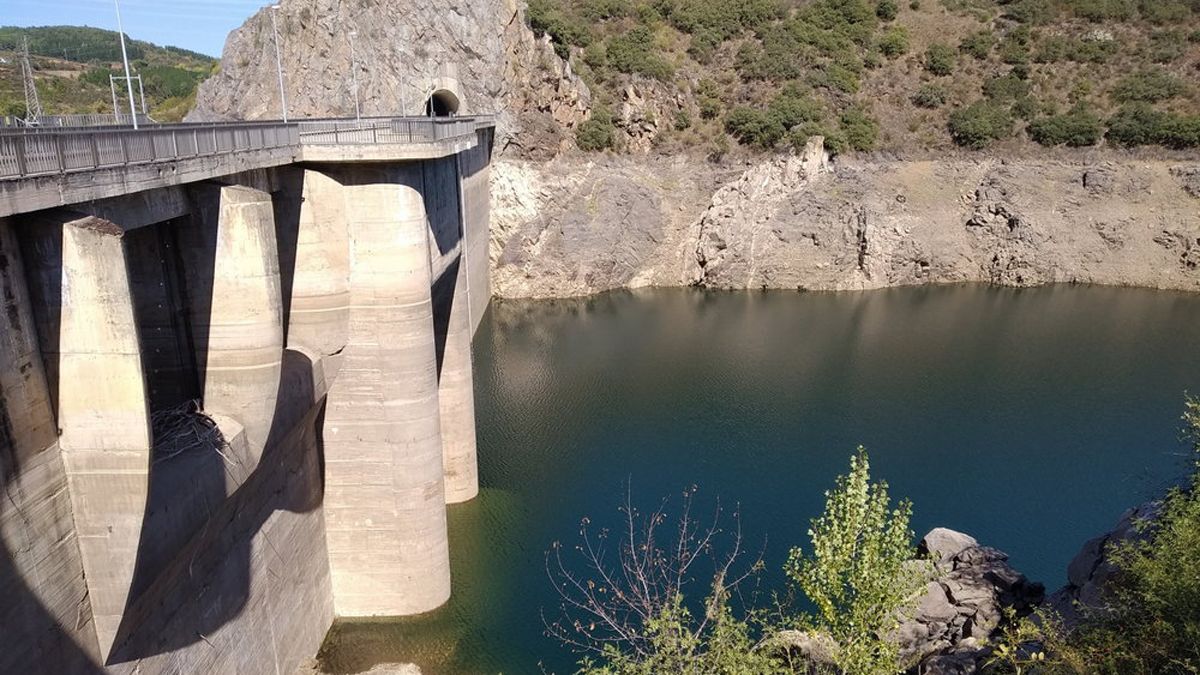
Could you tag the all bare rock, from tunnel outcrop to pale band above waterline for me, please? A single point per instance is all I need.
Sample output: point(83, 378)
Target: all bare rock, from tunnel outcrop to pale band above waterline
point(567, 224)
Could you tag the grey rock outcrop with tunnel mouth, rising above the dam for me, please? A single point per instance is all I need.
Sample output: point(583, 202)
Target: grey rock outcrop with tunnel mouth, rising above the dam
point(403, 52)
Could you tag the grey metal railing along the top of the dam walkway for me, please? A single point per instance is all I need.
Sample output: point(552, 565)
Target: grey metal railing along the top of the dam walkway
point(52, 151)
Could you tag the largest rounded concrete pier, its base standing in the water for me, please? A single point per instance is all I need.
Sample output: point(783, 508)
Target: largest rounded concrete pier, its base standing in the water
point(385, 495)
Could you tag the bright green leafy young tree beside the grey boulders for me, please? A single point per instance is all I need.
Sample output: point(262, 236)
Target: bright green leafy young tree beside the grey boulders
point(860, 575)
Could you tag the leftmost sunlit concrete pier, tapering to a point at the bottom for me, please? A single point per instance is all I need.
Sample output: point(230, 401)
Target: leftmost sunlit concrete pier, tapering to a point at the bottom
point(103, 415)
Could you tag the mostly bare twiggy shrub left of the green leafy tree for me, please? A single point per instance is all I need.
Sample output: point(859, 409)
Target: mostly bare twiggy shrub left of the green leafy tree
point(625, 602)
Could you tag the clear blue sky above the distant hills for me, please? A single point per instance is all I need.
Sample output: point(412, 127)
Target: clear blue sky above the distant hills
point(201, 26)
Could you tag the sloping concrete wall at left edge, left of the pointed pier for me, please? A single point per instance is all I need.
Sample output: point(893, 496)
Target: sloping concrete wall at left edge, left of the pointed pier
point(46, 616)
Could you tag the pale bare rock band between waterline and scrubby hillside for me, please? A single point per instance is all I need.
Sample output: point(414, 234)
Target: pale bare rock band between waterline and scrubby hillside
point(574, 228)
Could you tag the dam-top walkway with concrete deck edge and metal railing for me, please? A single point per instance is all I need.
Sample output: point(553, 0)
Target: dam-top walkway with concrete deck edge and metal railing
point(47, 168)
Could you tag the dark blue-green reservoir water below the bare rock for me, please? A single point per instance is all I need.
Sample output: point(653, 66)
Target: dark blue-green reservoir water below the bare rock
point(1028, 419)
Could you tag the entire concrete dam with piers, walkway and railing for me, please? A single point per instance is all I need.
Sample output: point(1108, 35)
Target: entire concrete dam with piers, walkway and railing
point(237, 385)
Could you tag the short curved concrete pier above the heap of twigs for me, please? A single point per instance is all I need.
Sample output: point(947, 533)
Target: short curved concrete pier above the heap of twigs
point(239, 325)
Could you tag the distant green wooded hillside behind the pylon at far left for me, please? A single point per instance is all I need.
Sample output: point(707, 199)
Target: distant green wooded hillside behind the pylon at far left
point(73, 64)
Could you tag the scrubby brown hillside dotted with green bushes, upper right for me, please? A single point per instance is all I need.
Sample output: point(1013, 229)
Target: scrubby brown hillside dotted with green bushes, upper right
point(899, 75)
